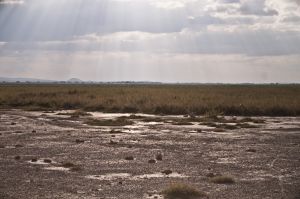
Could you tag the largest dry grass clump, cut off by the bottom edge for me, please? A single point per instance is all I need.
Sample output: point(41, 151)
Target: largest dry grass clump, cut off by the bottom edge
point(182, 191)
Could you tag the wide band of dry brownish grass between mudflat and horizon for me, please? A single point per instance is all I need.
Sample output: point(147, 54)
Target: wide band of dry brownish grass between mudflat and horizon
point(247, 100)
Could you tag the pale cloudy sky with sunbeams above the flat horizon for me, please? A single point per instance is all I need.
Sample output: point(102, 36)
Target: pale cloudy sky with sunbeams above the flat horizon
point(205, 41)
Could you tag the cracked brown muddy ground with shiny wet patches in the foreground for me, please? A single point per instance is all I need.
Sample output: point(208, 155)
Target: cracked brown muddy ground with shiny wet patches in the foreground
point(50, 155)
